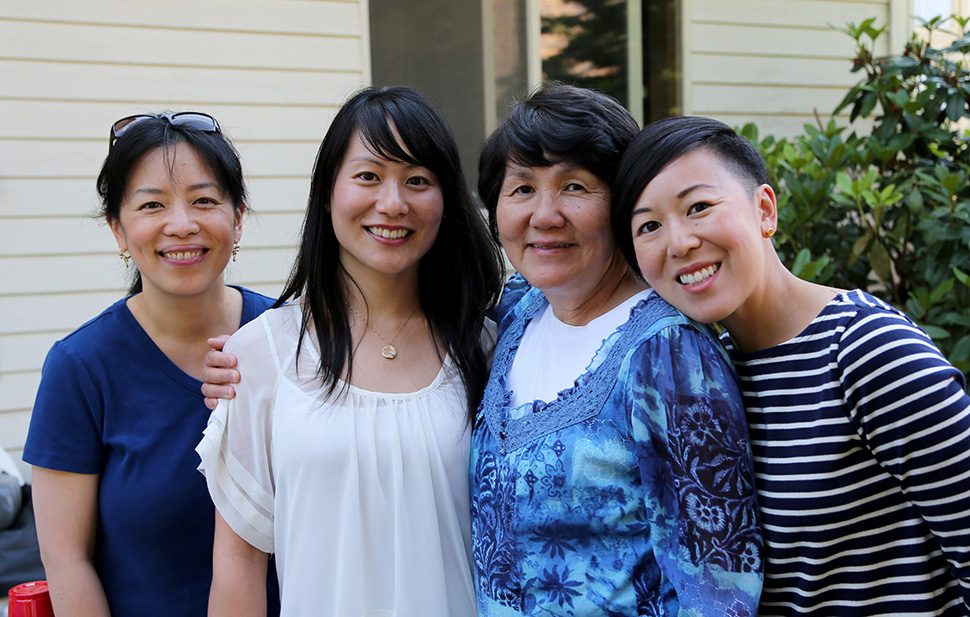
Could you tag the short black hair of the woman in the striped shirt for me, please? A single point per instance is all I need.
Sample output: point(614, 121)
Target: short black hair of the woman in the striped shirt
point(660, 144)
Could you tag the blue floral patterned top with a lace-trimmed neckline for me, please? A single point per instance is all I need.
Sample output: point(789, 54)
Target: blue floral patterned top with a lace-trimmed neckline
point(630, 494)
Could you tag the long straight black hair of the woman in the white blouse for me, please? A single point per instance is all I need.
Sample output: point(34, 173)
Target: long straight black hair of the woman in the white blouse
point(460, 276)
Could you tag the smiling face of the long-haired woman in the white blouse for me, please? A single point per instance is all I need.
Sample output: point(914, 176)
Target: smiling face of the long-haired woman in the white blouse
point(385, 213)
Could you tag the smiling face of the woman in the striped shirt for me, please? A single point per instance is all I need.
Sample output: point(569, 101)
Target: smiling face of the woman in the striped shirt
point(698, 236)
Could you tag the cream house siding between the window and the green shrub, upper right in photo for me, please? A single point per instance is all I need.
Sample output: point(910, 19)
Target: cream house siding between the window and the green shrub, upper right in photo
point(776, 62)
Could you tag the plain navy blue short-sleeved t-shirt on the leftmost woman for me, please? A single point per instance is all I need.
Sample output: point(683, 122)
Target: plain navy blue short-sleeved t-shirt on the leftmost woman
point(111, 403)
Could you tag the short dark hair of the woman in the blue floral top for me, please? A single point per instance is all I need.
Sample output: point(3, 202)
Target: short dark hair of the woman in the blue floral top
point(557, 123)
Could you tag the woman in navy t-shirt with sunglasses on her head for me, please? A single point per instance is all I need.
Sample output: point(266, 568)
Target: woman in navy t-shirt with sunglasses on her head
point(124, 519)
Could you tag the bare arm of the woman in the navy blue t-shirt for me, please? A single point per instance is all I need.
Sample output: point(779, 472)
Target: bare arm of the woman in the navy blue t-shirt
point(66, 508)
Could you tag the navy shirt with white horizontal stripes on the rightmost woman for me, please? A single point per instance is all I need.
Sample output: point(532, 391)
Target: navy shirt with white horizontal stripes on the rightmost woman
point(860, 430)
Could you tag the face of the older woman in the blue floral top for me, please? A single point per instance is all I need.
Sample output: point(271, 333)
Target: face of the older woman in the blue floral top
point(554, 224)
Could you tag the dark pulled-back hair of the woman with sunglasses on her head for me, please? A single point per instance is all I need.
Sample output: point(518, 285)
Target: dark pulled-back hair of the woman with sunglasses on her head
point(149, 134)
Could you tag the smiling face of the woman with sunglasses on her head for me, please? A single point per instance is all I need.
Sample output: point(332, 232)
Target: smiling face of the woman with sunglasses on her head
point(176, 222)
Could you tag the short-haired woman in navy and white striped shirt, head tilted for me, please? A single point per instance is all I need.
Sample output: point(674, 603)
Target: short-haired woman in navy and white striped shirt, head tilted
point(860, 426)
